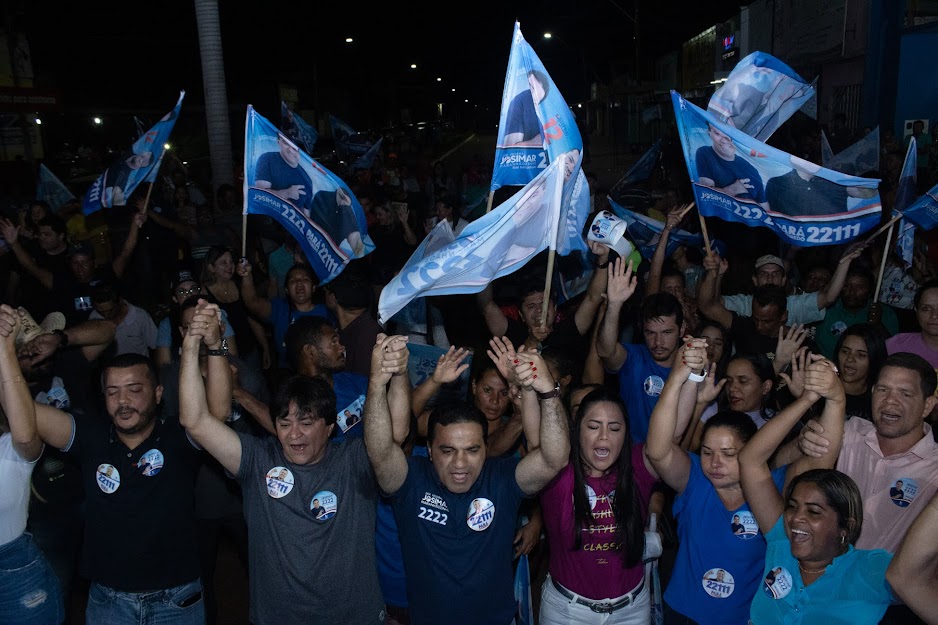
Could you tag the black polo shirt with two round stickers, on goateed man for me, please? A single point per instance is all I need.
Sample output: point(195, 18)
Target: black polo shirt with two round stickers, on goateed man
point(140, 531)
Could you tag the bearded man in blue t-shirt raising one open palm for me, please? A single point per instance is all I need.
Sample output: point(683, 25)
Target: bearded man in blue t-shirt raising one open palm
point(642, 369)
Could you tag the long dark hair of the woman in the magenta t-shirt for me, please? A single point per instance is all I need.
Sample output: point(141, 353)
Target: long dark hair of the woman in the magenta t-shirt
point(626, 506)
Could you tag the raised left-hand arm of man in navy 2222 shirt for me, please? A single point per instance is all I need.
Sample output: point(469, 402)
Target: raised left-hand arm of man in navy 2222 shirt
point(386, 456)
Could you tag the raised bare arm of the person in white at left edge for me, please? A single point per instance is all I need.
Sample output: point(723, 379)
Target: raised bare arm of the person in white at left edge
point(15, 398)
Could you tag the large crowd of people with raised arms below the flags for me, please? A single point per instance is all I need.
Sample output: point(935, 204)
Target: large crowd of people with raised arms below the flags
point(165, 392)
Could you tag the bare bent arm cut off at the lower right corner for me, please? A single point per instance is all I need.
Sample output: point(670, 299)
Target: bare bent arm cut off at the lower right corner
point(913, 573)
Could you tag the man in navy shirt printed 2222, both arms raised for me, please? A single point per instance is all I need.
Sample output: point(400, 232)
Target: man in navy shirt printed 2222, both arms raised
point(455, 510)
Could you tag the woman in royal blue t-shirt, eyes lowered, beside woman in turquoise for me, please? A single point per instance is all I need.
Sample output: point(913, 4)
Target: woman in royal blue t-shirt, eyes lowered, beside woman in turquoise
point(721, 552)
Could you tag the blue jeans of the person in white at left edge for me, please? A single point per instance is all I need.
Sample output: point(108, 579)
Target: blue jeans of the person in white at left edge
point(29, 590)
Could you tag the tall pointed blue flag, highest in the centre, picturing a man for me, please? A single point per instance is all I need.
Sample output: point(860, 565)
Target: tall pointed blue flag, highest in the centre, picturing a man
point(536, 125)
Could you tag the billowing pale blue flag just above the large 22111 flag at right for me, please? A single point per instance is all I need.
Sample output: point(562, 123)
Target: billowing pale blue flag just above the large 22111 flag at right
point(759, 95)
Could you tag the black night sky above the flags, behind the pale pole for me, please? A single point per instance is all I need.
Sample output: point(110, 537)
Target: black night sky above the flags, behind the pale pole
point(115, 55)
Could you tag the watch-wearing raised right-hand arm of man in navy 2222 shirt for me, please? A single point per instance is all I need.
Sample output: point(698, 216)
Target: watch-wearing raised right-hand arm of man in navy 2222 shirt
point(542, 464)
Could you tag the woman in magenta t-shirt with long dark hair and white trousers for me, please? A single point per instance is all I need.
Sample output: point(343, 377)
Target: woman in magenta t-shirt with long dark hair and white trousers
point(594, 515)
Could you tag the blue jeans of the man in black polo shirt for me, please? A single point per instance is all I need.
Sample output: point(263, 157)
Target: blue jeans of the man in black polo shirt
point(182, 605)
